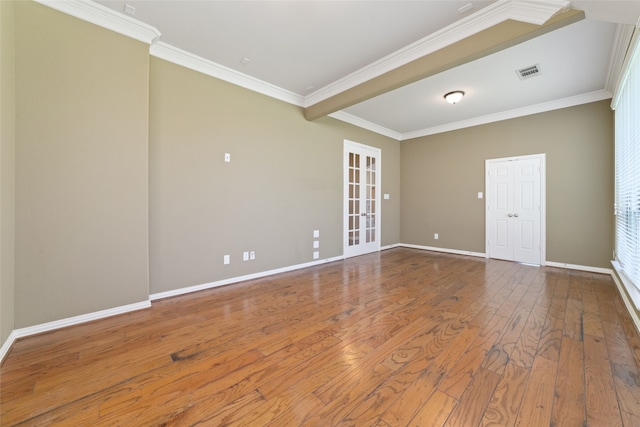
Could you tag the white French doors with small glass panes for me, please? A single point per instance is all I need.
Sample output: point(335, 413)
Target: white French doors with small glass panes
point(361, 199)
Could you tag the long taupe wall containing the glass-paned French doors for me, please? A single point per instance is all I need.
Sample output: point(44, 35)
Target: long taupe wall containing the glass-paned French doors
point(284, 180)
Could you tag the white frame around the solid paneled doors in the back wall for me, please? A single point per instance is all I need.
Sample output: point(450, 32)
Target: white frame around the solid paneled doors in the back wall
point(543, 201)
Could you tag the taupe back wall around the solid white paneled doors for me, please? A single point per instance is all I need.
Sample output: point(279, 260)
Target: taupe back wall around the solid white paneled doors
point(442, 174)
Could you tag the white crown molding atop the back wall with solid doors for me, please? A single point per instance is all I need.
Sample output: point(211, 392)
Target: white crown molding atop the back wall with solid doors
point(598, 95)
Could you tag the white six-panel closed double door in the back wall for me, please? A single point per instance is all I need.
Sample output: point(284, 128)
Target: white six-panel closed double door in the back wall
point(515, 209)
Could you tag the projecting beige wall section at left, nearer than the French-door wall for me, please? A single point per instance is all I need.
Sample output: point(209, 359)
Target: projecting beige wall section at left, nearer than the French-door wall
point(81, 167)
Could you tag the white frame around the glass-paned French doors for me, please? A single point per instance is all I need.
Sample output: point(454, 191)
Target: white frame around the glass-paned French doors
point(345, 195)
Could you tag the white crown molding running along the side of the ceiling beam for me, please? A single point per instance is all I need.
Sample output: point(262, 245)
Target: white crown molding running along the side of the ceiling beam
point(534, 11)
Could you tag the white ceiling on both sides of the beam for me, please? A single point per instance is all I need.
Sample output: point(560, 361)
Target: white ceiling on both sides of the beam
point(304, 47)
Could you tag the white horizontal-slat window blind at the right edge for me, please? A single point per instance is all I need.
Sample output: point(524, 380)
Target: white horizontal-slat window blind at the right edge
point(627, 172)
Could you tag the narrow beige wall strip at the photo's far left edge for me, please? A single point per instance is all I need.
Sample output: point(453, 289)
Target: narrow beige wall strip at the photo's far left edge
point(7, 169)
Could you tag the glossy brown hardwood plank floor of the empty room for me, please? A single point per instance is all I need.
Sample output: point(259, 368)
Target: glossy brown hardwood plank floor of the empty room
point(399, 338)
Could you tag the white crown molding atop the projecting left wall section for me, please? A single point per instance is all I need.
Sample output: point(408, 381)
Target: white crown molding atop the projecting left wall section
point(104, 17)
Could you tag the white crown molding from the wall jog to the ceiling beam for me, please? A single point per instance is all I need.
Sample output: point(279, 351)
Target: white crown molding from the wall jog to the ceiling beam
point(189, 60)
